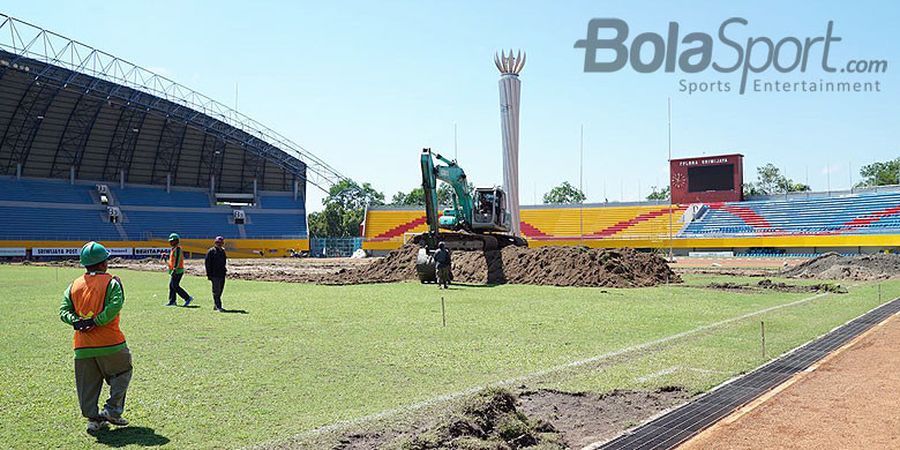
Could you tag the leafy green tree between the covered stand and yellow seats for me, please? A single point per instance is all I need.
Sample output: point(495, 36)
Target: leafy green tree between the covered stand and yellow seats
point(344, 209)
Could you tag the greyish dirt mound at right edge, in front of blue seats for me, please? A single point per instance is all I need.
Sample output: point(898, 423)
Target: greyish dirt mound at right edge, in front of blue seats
point(832, 266)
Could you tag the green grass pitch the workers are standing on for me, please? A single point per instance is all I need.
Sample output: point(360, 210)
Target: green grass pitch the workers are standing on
point(306, 356)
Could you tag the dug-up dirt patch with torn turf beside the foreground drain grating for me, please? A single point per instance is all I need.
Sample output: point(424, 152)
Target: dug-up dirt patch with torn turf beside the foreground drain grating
point(498, 419)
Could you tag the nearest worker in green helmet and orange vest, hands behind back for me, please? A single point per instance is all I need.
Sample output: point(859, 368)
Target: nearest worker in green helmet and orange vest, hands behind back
point(91, 305)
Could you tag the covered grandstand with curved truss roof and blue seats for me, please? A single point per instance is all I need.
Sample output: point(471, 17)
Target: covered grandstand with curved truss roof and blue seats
point(93, 147)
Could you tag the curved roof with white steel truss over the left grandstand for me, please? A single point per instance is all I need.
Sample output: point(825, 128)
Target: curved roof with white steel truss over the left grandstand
point(67, 108)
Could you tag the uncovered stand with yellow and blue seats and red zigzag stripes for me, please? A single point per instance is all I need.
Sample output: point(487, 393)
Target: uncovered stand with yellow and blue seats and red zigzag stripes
point(862, 221)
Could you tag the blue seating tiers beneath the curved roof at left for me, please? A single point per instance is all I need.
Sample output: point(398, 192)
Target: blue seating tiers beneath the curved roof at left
point(56, 211)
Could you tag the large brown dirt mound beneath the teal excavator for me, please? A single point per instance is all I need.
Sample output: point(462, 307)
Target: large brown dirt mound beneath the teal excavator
point(552, 266)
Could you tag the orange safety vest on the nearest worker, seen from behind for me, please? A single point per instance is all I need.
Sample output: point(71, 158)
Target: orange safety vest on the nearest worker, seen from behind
point(88, 296)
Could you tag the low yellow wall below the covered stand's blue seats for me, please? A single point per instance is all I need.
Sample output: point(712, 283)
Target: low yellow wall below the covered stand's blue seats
point(237, 248)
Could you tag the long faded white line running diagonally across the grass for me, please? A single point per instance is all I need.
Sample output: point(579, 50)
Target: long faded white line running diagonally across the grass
point(538, 374)
